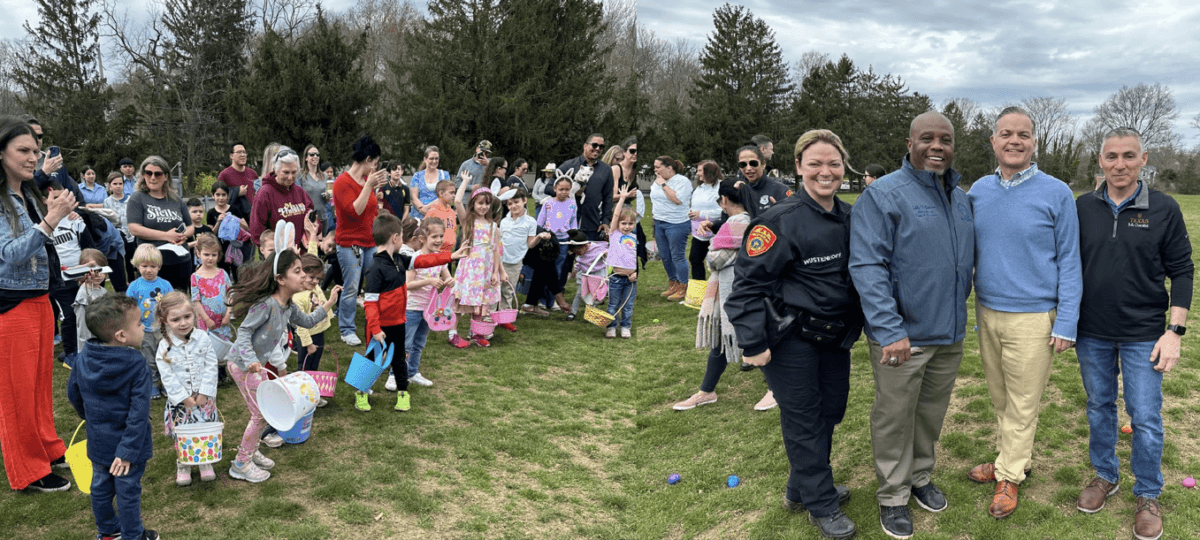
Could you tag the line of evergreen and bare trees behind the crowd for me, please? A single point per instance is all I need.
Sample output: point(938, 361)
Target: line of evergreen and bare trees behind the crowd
point(535, 77)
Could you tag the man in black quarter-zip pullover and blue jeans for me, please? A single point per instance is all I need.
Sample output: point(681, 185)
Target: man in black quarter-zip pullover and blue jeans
point(1131, 239)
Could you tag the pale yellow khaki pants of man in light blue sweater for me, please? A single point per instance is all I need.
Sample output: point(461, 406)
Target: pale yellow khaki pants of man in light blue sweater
point(1017, 358)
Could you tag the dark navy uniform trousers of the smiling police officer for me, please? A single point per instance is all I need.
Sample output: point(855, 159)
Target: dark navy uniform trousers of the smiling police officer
point(812, 386)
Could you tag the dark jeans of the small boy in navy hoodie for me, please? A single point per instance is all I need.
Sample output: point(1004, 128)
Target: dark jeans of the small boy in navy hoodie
point(128, 493)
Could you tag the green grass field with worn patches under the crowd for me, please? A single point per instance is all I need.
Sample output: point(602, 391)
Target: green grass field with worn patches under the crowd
point(557, 434)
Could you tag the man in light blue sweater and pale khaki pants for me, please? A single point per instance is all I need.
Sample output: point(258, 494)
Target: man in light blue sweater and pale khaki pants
point(1028, 286)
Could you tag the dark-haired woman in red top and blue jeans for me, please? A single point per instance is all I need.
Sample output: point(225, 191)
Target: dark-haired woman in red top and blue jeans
point(356, 207)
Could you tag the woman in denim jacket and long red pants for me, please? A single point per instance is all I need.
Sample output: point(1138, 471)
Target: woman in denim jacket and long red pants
point(27, 327)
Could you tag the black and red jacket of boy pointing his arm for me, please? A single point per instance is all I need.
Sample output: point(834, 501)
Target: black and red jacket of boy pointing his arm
point(387, 298)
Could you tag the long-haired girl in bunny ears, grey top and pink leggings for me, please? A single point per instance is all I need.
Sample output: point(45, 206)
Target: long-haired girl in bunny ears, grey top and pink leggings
point(263, 299)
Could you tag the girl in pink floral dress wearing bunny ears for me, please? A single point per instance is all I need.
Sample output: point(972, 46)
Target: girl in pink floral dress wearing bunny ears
point(478, 278)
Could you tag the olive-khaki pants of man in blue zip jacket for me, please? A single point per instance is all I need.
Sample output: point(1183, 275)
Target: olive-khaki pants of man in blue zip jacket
point(907, 419)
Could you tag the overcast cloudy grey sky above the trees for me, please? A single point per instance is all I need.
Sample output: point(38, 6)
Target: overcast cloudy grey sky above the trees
point(995, 52)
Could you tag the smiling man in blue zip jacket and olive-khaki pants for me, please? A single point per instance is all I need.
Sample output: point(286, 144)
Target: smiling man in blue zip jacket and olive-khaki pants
point(911, 257)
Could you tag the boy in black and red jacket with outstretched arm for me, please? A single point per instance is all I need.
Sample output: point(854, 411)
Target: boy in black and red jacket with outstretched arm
point(387, 299)
